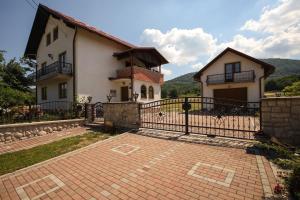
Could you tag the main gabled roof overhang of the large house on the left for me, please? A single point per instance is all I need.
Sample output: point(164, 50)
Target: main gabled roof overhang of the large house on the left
point(40, 22)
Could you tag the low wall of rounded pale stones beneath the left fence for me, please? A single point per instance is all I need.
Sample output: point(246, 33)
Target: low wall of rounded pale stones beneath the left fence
point(14, 132)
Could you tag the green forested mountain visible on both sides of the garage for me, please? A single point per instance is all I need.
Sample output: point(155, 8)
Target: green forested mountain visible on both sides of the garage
point(185, 84)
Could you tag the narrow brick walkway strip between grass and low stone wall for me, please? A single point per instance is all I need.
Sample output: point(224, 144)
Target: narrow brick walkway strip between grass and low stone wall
point(39, 140)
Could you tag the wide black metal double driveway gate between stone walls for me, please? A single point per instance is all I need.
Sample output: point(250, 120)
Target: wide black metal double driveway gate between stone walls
point(203, 115)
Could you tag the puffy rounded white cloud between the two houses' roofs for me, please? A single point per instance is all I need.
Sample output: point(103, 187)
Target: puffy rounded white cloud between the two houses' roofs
point(180, 46)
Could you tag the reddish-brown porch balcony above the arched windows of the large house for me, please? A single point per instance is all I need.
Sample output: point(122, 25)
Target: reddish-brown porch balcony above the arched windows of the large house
point(139, 73)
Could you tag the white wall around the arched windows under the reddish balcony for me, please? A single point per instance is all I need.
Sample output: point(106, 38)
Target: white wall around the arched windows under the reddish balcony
point(137, 88)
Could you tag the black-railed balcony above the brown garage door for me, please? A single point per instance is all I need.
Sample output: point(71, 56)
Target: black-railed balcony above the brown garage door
point(241, 77)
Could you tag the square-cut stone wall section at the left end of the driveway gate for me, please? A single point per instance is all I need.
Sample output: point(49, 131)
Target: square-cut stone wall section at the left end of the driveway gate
point(122, 115)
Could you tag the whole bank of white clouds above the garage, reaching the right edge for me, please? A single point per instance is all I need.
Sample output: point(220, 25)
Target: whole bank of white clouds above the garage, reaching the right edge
point(277, 35)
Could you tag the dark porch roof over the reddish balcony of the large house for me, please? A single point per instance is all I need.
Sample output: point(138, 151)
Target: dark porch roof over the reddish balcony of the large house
point(148, 55)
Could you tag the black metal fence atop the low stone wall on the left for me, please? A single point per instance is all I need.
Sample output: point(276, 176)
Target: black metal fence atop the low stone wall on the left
point(54, 110)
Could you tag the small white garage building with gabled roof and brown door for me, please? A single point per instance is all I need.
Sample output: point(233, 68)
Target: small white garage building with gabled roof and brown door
point(234, 75)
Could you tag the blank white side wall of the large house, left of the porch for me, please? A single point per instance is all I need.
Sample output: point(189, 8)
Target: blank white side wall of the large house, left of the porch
point(95, 64)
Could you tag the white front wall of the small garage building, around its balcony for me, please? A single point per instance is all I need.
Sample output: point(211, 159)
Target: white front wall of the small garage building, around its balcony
point(219, 68)
